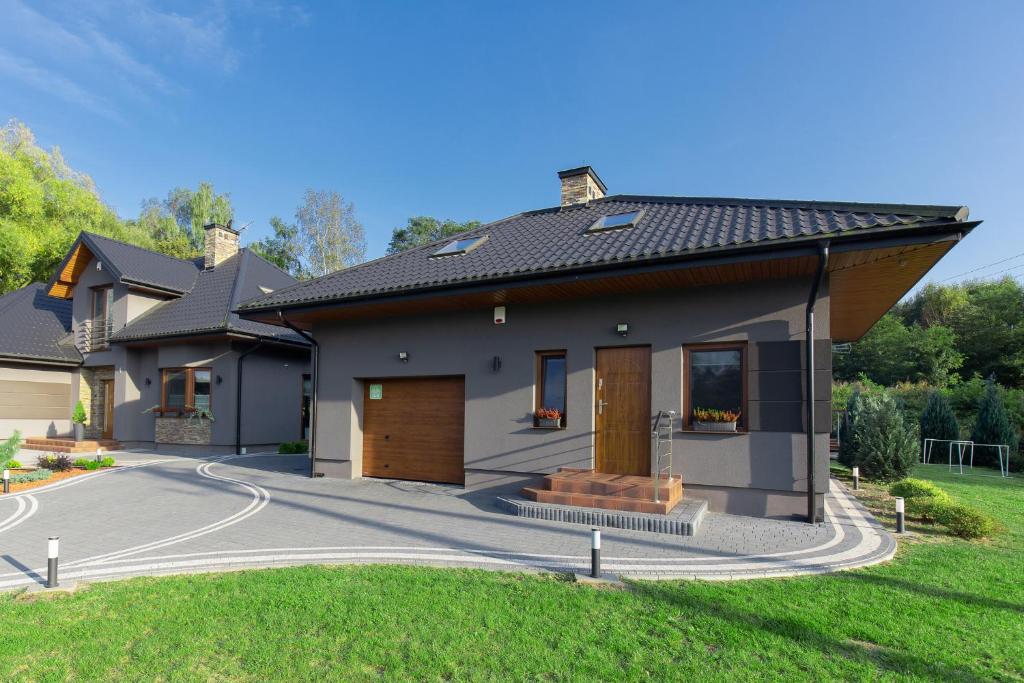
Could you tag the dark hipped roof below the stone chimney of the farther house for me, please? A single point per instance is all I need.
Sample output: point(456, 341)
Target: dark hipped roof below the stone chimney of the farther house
point(209, 307)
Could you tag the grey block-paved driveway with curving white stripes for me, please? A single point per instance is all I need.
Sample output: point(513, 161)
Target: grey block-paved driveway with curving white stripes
point(163, 515)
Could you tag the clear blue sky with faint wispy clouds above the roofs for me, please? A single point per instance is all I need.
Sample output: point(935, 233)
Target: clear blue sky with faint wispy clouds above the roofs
point(468, 110)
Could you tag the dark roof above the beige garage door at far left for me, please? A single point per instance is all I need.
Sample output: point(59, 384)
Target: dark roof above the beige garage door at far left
point(36, 327)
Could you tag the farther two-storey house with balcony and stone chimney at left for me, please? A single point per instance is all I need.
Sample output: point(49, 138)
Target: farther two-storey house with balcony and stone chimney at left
point(151, 347)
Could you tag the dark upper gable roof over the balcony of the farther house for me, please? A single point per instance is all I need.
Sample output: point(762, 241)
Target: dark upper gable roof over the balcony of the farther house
point(135, 266)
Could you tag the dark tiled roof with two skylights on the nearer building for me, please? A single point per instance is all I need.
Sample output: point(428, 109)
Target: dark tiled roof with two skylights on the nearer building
point(557, 241)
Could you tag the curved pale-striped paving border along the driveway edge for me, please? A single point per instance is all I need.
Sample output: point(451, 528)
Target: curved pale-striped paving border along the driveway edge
point(858, 540)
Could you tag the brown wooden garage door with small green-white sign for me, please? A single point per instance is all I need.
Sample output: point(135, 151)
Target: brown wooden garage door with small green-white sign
point(413, 429)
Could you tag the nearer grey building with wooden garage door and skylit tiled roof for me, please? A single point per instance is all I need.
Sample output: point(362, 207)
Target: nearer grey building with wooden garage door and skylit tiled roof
point(431, 364)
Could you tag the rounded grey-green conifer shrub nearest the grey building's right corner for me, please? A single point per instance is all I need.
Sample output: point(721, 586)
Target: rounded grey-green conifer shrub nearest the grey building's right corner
point(885, 448)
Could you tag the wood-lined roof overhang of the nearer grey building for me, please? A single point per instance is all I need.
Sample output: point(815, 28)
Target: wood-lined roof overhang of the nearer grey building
point(869, 273)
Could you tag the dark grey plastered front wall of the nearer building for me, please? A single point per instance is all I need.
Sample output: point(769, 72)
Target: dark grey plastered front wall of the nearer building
point(761, 473)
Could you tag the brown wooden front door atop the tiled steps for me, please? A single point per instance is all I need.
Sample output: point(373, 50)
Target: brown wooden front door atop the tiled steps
point(622, 412)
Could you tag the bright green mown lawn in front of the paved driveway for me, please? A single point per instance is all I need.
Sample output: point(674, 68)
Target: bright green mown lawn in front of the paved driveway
point(945, 610)
